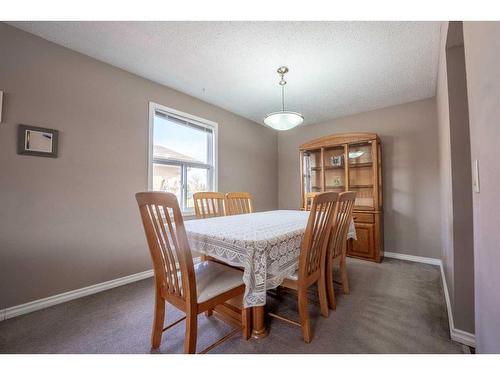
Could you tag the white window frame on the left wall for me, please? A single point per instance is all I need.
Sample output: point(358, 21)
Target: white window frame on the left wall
point(213, 126)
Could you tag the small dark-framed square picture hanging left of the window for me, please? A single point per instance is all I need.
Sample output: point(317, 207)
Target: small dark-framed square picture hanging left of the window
point(36, 141)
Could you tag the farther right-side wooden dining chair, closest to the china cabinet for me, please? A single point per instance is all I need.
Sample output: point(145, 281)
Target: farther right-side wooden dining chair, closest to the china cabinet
point(337, 245)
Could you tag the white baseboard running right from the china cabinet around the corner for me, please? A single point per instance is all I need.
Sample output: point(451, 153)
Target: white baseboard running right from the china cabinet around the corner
point(456, 334)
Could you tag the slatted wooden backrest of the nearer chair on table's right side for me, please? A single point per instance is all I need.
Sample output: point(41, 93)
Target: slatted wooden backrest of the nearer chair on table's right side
point(319, 225)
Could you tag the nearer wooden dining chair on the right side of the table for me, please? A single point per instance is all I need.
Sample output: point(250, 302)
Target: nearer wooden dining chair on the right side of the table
point(312, 260)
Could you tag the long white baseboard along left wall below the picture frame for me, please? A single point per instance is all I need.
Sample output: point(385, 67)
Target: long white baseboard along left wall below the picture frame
point(43, 303)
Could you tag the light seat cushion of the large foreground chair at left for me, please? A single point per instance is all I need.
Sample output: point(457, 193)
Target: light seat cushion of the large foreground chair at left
point(213, 279)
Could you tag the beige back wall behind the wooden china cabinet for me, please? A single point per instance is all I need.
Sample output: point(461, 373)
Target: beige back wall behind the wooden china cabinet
point(410, 171)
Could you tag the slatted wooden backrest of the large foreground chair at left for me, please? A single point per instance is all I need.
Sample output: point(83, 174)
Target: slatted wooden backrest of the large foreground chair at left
point(168, 244)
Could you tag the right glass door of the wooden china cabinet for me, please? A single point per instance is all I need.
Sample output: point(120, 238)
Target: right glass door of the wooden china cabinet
point(361, 174)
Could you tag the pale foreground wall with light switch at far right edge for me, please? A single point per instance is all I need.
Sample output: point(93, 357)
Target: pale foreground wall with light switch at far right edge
point(482, 52)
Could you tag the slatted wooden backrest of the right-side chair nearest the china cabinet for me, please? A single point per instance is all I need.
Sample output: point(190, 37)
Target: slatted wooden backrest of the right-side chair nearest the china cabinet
point(342, 221)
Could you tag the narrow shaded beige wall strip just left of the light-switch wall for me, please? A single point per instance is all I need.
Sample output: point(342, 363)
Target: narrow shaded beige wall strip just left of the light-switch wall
point(456, 182)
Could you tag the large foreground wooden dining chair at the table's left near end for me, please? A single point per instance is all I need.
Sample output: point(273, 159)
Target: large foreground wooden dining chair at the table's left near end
point(190, 288)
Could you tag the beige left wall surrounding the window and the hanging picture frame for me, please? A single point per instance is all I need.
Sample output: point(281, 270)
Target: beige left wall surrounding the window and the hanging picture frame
point(71, 222)
